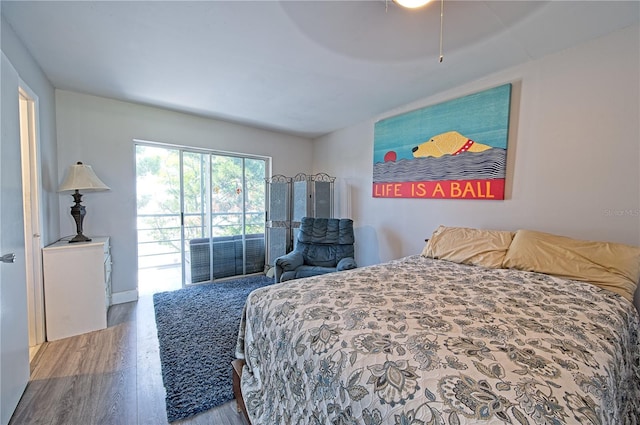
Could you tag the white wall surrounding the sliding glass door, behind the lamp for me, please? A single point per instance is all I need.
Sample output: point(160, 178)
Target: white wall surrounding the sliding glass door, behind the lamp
point(100, 132)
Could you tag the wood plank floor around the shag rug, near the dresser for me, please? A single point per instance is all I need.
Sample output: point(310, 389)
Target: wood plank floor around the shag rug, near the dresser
point(111, 376)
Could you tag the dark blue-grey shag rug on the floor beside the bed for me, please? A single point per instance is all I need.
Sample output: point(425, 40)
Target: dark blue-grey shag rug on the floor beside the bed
point(197, 332)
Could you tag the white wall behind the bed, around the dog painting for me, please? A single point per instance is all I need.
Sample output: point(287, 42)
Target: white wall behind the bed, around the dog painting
point(573, 159)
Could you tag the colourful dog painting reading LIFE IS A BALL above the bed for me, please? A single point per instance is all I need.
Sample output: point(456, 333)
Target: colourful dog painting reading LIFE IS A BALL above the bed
point(453, 150)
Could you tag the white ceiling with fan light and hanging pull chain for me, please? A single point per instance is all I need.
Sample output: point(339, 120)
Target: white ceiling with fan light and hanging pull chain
point(300, 67)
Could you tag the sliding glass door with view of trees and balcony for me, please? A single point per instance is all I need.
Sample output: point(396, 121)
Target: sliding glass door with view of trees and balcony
point(203, 210)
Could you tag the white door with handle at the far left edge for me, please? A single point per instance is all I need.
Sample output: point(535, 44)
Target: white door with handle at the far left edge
point(14, 341)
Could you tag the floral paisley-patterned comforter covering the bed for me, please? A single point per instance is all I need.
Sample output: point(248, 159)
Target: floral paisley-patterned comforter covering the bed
point(421, 341)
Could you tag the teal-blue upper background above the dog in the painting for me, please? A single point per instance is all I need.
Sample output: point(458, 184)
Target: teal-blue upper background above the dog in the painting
point(482, 117)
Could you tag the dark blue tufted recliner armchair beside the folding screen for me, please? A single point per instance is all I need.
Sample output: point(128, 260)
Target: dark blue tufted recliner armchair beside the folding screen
point(323, 245)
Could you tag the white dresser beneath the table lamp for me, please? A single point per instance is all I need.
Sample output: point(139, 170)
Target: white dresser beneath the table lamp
point(77, 287)
